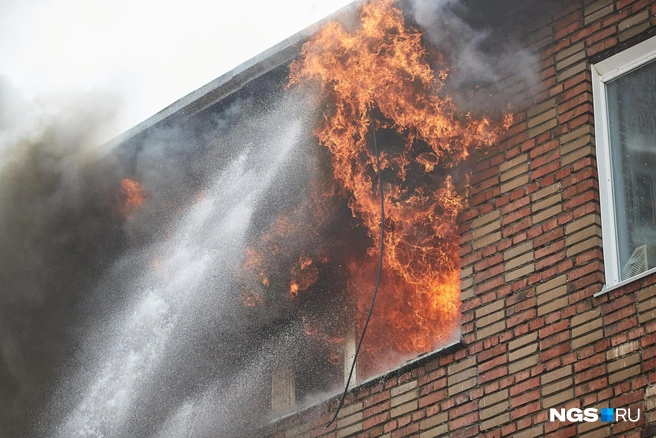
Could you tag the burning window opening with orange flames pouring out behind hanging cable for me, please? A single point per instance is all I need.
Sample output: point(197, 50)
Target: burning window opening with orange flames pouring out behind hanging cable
point(376, 73)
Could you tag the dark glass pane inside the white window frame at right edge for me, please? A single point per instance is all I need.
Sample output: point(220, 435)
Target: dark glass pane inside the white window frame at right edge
point(632, 126)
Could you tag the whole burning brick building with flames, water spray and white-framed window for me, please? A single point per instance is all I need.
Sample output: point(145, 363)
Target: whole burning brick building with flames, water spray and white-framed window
point(495, 162)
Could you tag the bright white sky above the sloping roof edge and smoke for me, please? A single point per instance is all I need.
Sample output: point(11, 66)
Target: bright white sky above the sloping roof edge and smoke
point(150, 52)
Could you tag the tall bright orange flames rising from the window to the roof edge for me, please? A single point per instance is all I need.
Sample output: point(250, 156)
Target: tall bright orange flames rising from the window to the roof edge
point(384, 63)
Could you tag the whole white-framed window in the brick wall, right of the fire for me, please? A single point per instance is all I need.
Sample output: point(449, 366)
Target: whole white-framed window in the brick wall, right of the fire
point(624, 89)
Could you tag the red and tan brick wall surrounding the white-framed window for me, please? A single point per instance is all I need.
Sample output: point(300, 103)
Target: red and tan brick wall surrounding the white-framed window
point(534, 337)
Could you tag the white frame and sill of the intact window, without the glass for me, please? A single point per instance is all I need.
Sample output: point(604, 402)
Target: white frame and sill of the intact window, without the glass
point(602, 73)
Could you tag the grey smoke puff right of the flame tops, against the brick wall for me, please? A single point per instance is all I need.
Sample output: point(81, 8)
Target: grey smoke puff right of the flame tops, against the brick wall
point(482, 61)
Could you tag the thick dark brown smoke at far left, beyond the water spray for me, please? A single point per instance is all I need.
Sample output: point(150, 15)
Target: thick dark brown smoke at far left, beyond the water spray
point(56, 235)
